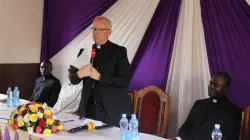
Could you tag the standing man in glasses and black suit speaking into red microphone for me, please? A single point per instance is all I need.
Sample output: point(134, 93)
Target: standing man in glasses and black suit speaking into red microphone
point(105, 82)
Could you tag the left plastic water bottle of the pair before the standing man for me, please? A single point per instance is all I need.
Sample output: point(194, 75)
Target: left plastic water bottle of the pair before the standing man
point(123, 127)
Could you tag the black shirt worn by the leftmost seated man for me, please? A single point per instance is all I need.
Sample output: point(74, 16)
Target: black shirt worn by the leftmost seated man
point(46, 90)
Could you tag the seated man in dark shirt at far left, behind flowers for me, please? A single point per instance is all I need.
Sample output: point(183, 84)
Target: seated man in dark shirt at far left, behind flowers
point(47, 87)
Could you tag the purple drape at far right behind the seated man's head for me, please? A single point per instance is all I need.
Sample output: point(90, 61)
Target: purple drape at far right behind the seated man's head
point(227, 33)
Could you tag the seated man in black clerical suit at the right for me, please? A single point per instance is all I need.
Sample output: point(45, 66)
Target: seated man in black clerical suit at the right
point(215, 110)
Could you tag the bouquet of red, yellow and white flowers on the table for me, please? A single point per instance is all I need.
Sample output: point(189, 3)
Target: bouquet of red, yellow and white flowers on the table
point(34, 117)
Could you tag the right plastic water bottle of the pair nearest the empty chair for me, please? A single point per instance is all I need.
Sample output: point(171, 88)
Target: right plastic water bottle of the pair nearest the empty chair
point(133, 128)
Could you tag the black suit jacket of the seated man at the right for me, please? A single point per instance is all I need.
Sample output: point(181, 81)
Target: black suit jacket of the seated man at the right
point(201, 120)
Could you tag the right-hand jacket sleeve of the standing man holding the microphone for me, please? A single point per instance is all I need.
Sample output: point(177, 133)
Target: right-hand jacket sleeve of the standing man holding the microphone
point(121, 78)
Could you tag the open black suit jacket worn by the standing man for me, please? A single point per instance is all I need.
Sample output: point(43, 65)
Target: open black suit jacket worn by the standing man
point(114, 80)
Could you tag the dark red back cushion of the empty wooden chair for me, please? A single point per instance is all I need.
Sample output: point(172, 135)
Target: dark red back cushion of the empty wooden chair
point(149, 113)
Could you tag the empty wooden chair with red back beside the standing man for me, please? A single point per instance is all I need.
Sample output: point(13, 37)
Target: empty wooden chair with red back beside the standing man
point(152, 107)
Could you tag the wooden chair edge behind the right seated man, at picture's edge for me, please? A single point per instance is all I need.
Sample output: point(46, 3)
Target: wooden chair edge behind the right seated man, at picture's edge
point(244, 123)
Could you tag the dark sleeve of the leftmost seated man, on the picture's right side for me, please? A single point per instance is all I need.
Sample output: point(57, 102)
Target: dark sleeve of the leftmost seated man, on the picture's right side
point(55, 90)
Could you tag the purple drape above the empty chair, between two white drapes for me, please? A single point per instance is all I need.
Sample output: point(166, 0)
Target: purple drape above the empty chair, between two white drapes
point(151, 63)
